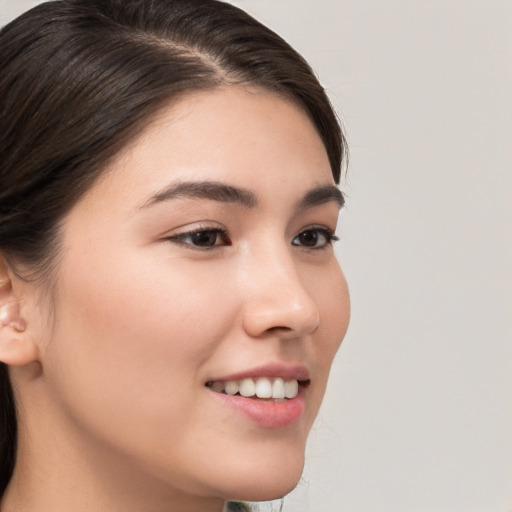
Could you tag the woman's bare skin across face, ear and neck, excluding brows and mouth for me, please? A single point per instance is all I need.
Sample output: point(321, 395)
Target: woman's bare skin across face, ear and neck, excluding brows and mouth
point(116, 415)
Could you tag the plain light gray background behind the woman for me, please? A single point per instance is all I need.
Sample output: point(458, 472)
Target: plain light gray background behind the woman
point(418, 416)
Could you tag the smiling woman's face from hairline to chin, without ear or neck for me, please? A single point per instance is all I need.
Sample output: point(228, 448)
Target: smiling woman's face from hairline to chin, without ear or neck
point(199, 269)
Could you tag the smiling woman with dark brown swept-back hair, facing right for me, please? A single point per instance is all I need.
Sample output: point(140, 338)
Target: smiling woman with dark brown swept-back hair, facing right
point(170, 301)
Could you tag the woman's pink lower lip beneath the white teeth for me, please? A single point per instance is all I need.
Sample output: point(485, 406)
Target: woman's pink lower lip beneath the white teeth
point(266, 413)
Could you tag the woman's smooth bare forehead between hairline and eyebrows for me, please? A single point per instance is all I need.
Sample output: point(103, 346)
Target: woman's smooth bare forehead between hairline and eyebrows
point(244, 137)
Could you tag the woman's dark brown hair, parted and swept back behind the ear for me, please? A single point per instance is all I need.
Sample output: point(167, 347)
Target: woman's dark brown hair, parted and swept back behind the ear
point(79, 78)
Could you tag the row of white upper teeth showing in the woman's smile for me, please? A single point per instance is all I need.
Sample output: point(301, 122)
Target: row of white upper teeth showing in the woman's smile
point(262, 388)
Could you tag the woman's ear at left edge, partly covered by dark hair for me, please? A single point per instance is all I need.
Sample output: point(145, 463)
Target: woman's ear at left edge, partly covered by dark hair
point(17, 347)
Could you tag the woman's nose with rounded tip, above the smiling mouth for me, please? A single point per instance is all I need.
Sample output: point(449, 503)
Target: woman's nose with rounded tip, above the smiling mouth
point(277, 301)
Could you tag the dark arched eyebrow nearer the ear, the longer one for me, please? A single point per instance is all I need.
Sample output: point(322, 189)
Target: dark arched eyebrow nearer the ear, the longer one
point(211, 190)
